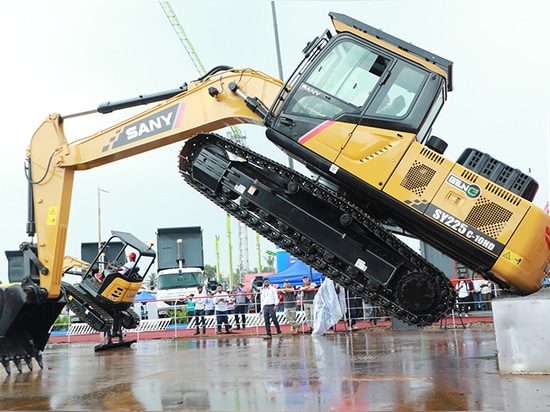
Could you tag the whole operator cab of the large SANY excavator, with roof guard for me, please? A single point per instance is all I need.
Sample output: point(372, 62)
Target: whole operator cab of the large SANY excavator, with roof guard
point(355, 94)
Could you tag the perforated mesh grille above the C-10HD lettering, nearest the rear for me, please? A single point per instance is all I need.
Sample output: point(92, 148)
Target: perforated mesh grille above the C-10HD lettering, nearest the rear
point(488, 217)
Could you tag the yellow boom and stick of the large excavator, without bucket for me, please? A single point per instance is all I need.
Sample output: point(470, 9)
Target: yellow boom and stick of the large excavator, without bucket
point(204, 105)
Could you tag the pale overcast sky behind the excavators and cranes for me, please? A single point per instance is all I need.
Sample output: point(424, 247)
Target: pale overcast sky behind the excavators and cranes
point(70, 56)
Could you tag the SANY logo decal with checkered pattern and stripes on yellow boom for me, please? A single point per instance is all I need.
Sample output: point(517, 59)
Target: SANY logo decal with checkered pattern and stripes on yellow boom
point(149, 126)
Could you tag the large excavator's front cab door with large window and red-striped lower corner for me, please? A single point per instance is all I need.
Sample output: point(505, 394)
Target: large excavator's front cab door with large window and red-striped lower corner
point(323, 110)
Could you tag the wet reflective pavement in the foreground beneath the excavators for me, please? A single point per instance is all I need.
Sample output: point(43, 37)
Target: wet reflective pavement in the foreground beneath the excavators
point(377, 370)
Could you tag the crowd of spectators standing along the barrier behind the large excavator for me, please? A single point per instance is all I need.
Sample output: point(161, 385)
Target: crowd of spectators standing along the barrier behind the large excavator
point(234, 305)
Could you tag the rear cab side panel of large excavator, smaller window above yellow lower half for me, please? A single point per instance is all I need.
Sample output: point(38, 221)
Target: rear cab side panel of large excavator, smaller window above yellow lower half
point(389, 124)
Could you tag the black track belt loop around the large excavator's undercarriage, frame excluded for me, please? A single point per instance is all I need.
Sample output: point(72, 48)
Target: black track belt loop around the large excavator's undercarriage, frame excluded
point(305, 248)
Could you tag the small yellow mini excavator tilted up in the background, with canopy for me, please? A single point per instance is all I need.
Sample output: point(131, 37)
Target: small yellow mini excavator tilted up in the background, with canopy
point(104, 297)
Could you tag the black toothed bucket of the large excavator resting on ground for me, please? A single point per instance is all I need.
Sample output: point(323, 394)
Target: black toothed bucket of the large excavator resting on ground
point(25, 324)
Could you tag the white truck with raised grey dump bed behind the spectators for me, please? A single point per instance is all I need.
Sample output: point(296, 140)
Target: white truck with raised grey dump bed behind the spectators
point(180, 266)
